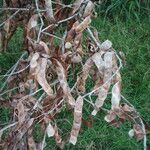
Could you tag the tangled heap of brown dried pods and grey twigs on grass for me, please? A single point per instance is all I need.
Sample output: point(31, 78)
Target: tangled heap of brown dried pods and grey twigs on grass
point(44, 67)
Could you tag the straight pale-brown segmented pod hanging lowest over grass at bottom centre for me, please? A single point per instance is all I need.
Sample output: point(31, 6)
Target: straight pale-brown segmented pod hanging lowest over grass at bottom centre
point(77, 120)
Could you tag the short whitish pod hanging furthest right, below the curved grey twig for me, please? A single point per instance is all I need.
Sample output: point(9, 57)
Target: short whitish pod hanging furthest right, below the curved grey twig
point(116, 96)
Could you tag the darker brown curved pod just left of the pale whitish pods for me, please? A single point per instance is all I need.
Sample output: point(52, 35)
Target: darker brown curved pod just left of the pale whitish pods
point(85, 72)
